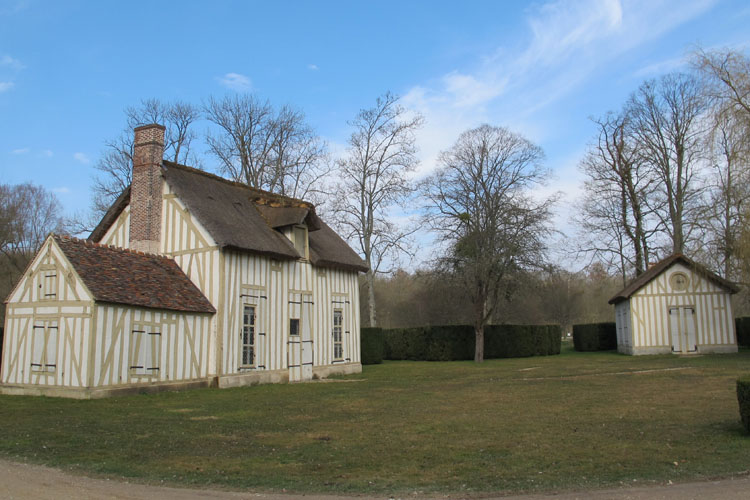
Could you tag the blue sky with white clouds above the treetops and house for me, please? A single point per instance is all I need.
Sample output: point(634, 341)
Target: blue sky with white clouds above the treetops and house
point(68, 69)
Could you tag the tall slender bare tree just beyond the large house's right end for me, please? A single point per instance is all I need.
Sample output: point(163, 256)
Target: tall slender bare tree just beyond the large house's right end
point(373, 179)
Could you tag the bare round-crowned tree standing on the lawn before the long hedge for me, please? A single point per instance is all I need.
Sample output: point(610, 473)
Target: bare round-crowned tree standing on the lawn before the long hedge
point(480, 204)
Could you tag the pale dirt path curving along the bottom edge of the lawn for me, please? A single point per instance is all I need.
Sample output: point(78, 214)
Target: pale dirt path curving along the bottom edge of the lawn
point(23, 481)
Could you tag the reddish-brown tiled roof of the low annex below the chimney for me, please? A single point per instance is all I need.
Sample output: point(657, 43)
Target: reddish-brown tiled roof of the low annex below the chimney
point(134, 278)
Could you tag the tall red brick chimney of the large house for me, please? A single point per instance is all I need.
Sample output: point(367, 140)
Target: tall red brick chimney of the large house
point(145, 189)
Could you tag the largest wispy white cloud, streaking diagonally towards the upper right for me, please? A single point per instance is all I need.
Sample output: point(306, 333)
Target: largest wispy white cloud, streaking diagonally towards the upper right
point(567, 42)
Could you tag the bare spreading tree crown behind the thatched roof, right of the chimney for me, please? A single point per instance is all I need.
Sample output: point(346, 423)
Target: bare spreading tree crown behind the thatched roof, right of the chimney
point(267, 149)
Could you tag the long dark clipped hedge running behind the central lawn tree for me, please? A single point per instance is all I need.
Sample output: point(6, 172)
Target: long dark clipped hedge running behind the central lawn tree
point(456, 342)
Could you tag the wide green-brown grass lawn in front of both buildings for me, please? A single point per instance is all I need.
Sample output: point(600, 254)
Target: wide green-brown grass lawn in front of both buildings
point(578, 420)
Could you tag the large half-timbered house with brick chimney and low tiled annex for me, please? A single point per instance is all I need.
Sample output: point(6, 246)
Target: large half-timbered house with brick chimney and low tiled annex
point(189, 280)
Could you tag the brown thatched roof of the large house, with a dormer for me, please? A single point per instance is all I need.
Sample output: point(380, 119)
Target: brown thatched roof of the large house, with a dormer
point(244, 218)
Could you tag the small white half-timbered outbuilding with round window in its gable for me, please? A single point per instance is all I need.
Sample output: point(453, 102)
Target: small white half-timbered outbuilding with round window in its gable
point(676, 306)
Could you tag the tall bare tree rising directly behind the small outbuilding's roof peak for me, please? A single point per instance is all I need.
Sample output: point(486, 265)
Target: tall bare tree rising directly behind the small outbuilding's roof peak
point(667, 116)
